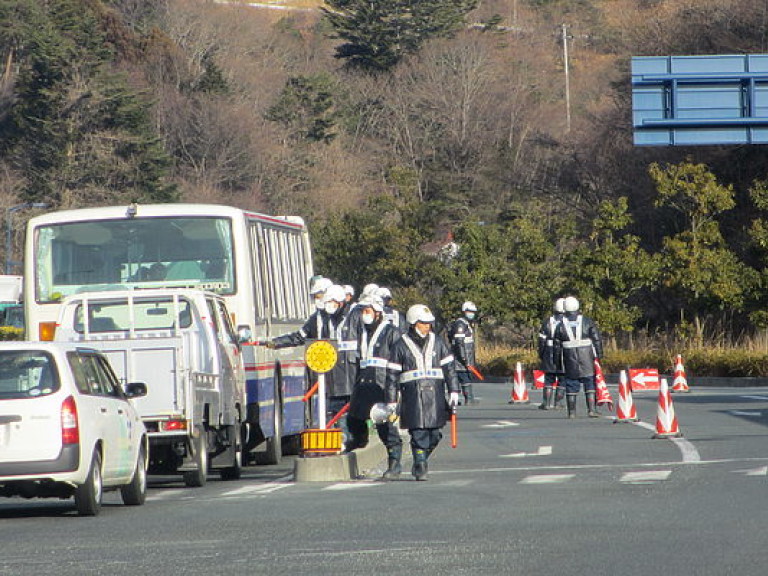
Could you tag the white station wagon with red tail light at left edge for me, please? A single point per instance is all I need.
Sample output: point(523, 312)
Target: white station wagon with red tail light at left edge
point(67, 428)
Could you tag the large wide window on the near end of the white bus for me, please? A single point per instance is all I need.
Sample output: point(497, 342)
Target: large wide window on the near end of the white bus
point(133, 253)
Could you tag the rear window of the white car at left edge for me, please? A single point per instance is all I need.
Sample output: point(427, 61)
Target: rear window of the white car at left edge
point(27, 374)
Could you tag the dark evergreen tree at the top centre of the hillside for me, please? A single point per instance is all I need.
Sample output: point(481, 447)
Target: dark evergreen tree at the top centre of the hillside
point(378, 34)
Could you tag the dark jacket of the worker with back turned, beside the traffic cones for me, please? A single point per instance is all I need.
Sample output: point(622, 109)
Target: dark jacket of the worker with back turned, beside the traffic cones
point(581, 344)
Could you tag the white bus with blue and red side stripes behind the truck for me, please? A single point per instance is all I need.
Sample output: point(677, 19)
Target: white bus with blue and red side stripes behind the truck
point(260, 264)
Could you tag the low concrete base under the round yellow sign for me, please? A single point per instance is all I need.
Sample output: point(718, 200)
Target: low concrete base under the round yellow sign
point(341, 467)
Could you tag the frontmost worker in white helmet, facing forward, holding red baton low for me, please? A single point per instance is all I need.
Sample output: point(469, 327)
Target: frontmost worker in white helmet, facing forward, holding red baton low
point(422, 370)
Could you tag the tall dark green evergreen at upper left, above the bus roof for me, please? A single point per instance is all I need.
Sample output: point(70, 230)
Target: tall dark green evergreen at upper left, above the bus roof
point(76, 129)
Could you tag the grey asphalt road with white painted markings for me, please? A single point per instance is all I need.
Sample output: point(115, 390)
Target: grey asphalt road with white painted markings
point(526, 492)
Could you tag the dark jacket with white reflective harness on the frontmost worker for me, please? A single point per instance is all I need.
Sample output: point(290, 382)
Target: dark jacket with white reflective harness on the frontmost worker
point(422, 379)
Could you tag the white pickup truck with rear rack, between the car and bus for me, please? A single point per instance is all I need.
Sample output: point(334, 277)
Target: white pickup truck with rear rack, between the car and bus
point(181, 343)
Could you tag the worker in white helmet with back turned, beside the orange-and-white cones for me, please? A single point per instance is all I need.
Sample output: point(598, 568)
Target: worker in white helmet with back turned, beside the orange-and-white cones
point(582, 345)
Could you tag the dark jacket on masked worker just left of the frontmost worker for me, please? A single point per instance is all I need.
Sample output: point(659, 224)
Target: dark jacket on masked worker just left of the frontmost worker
point(376, 342)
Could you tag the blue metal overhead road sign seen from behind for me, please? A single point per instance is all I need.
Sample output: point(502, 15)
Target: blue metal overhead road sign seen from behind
point(697, 100)
